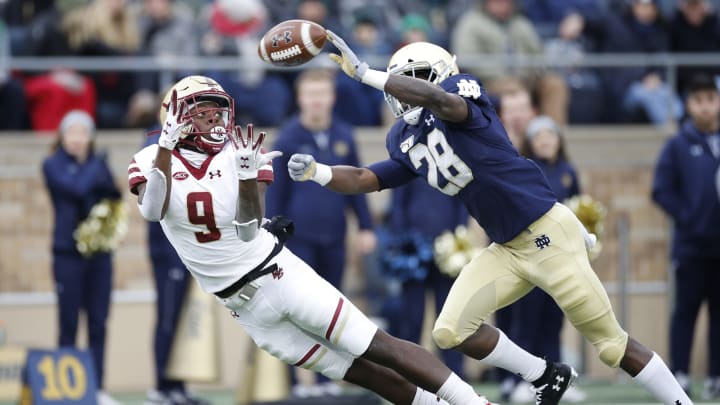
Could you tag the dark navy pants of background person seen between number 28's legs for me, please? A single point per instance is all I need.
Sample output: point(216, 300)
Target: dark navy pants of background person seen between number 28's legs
point(536, 325)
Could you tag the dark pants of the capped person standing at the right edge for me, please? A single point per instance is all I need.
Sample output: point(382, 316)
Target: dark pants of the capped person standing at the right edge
point(696, 281)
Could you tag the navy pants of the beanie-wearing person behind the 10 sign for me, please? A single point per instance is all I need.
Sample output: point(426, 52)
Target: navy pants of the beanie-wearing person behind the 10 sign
point(84, 285)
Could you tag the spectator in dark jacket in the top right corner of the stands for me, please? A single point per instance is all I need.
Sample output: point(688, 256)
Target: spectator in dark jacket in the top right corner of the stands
point(695, 28)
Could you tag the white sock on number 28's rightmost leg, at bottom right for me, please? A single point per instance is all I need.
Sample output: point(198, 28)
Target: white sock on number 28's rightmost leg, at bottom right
point(659, 381)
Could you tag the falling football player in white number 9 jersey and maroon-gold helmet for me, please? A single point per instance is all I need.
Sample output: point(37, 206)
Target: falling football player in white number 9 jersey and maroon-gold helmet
point(208, 195)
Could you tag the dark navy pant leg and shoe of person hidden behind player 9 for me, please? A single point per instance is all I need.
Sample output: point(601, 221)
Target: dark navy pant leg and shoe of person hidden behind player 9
point(171, 285)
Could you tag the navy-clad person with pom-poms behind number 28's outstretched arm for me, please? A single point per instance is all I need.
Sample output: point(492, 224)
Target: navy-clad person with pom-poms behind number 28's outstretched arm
point(410, 202)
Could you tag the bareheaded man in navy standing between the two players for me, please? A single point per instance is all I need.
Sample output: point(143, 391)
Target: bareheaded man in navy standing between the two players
point(319, 214)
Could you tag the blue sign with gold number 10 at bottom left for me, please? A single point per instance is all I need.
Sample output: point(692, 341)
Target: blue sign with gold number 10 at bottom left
point(59, 377)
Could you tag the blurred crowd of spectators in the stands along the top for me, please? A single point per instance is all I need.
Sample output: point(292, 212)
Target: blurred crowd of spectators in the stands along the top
point(561, 30)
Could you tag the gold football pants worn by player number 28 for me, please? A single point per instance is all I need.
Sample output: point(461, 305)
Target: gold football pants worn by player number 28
point(550, 254)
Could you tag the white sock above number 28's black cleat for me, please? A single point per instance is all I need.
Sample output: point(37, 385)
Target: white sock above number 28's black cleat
point(513, 358)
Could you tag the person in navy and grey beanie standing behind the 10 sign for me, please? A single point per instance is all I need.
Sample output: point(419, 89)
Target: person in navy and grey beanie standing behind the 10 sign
point(77, 178)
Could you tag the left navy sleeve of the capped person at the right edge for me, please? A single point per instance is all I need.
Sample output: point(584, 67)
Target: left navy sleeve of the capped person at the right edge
point(666, 185)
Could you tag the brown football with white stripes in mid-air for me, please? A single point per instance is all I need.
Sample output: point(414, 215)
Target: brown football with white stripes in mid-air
point(292, 43)
